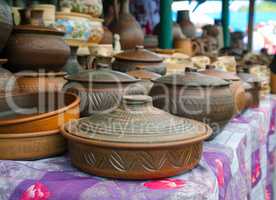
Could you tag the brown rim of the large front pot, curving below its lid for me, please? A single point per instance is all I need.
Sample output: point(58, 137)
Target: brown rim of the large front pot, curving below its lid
point(106, 144)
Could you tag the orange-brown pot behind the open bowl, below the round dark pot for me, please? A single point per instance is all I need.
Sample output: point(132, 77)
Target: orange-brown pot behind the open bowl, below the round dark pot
point(41, 82)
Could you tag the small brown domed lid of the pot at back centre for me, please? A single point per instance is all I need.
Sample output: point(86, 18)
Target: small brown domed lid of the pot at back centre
point(139, 54)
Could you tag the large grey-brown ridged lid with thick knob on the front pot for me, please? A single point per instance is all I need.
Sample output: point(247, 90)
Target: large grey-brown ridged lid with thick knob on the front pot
point(137, 121)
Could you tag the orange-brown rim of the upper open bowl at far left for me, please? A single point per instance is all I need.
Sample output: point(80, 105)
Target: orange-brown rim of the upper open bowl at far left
point(73, 104)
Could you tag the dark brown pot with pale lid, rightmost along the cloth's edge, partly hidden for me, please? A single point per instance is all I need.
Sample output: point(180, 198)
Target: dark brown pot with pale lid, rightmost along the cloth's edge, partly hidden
point(253, 89)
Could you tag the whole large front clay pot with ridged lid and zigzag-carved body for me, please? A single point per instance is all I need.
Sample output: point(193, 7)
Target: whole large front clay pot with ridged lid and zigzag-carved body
point(99, 145)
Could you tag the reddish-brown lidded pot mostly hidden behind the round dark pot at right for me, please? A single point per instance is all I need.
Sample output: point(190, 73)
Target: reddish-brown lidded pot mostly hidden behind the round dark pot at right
point(236, 86)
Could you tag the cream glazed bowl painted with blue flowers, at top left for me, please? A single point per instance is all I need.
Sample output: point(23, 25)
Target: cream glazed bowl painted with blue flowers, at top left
point(79, 27)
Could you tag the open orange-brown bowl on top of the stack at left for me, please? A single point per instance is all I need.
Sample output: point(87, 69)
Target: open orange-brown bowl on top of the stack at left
point(36, 112)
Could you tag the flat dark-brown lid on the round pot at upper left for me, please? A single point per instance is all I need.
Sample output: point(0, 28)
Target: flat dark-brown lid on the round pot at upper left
point(37, 29)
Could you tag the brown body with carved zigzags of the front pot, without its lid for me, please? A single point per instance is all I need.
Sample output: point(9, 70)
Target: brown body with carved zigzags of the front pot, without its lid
point(140, 163)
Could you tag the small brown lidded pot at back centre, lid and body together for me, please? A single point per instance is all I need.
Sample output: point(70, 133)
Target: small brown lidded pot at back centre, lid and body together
point(139, 58)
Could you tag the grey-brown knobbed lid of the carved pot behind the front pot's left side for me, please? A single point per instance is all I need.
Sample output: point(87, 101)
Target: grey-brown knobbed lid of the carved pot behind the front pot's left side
point(102, 75)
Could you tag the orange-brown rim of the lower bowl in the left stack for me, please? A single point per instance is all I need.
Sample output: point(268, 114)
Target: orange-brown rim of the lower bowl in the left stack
point(29, 135)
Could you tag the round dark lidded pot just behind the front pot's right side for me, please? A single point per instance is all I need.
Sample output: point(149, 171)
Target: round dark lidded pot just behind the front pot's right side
point(196, 96)
